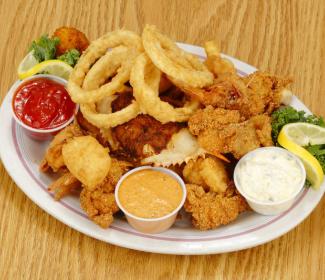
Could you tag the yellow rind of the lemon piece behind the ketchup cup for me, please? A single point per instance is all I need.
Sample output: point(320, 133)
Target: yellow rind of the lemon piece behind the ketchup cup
point(53, 67)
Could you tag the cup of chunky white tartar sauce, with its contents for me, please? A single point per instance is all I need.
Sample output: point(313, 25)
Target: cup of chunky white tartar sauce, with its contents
point(270, 179)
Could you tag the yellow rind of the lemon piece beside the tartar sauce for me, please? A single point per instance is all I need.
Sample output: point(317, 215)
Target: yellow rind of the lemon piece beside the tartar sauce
point(314, 170)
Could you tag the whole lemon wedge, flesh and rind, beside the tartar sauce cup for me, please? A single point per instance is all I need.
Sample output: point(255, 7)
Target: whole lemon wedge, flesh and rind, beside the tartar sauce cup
point(292, 138)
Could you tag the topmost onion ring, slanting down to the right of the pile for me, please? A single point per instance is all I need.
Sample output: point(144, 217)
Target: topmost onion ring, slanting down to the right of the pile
point(173, 61)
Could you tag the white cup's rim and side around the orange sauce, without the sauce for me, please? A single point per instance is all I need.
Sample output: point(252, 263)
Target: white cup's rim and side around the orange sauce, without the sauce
point(152, 225)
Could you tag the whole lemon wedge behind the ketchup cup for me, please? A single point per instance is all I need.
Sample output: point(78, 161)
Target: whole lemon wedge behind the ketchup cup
point(55, 67)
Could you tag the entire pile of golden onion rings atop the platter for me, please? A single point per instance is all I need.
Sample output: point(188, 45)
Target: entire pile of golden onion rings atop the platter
point(117, 58)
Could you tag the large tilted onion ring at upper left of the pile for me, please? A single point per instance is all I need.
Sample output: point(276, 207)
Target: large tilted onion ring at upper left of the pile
point(119, 61)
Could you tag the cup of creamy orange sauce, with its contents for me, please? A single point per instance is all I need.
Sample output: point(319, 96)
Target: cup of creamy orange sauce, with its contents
point(150, 198)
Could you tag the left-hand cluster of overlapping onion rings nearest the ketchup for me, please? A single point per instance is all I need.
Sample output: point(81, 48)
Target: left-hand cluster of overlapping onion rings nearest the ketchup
point(111, 57)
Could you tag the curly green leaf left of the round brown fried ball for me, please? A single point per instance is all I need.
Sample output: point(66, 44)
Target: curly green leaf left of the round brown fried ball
point(44, 48)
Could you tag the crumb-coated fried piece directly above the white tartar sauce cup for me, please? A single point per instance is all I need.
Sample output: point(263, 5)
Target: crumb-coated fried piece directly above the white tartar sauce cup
point(222, 131)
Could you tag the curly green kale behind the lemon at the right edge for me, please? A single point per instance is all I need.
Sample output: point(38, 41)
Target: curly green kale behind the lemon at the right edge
point(287, 115)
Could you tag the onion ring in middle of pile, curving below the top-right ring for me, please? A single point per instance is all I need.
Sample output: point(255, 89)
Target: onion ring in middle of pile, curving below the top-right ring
point(145, 79)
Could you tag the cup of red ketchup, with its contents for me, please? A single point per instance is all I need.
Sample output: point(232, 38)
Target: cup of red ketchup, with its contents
point(54, 102)
